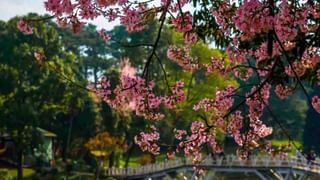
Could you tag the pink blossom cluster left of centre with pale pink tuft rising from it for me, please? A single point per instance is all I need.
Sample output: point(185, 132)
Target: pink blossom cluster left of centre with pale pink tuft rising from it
point(134, 94)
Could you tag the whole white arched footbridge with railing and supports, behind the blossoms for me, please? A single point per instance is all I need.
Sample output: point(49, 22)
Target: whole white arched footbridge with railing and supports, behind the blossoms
point(263, 167)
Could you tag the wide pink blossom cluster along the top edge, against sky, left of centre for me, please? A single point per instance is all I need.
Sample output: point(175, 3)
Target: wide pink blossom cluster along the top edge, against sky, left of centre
point(70, 12)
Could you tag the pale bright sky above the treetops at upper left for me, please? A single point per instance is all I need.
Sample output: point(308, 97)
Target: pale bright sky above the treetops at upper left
point(11, 8)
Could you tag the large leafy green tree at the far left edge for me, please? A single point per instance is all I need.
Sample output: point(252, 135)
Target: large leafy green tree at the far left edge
point(34, 93)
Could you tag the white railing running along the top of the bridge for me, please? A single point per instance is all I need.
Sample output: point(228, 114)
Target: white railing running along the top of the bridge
point(229, 161)
